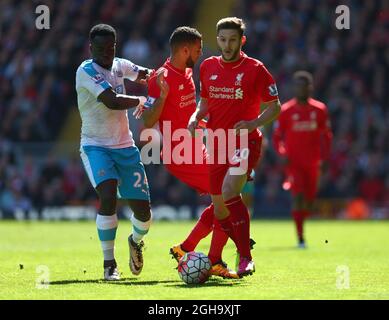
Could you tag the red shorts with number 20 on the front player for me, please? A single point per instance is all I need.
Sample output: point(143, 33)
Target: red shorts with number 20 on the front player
point(252, 154)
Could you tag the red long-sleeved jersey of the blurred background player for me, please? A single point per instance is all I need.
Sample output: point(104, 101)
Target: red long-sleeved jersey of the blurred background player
point(303, 132)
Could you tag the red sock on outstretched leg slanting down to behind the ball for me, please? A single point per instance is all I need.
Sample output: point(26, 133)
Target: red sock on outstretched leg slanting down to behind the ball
point(202, 228)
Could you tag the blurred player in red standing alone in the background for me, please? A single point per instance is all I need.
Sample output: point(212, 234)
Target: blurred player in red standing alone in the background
point(303, 136)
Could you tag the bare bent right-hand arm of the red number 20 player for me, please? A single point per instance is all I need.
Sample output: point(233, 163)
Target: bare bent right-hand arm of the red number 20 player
point(272, 110)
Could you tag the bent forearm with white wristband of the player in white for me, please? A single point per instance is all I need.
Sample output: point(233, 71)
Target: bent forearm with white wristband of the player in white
point(115, 101)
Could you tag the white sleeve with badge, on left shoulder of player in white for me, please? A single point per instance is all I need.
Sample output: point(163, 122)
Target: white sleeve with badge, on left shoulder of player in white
point(91, 80)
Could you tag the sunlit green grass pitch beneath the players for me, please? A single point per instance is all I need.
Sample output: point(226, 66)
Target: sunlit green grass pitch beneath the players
point(352, 264)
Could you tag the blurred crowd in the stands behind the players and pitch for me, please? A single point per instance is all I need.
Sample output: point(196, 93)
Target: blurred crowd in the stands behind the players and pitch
point(350, 68)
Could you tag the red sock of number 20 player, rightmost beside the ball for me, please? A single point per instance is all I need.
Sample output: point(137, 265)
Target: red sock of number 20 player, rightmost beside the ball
point(240, 222)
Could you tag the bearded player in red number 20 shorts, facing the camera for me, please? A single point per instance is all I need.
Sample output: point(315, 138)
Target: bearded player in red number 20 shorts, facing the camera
point(233, 86)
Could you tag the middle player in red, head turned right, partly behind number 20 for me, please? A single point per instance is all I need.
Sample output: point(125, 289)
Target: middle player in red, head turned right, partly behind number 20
point(171, 101)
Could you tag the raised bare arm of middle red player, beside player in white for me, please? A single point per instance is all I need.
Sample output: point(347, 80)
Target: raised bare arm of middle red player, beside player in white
point(153, 111)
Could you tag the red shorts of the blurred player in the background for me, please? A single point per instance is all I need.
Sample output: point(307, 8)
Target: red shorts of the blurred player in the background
point(302, 179)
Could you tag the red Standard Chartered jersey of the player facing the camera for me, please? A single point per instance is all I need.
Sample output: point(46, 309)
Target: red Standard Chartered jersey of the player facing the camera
point(235, 90)
